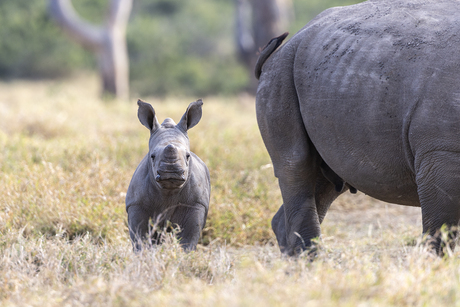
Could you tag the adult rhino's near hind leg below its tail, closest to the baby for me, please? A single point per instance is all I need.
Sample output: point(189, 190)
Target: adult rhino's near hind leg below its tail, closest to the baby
point(294, 157)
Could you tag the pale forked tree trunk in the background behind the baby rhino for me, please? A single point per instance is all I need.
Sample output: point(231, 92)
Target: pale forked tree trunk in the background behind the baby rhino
point(108, 41)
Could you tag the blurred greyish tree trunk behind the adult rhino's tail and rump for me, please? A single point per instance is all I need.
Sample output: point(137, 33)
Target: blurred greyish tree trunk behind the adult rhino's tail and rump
point(257, 22)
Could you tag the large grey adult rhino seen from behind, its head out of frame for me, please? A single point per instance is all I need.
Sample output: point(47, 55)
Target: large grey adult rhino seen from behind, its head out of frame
point(372, 93)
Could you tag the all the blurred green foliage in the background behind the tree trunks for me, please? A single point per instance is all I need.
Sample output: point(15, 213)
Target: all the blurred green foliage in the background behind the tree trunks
point(175, 47)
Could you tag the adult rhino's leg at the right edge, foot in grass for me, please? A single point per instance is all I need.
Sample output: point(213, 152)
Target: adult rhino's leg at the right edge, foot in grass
point(438, 184)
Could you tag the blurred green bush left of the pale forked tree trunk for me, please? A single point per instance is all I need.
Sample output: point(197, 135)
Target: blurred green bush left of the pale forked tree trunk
point(32, 46)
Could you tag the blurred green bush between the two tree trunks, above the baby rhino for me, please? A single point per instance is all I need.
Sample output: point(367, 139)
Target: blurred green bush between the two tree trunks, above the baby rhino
point(184, 48)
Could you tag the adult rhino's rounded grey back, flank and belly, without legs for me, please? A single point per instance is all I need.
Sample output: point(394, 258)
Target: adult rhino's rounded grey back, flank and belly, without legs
point(373, 80)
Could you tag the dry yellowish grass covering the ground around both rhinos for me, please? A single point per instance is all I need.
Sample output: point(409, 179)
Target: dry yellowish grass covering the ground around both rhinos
point(66, 159)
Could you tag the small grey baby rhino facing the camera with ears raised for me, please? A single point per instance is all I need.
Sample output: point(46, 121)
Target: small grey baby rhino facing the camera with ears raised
point(171, 185)
